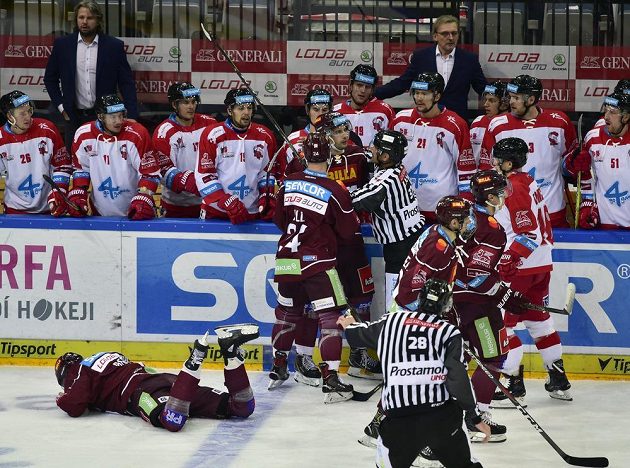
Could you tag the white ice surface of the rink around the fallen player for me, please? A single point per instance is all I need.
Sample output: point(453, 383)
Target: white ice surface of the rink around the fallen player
point(291, 427)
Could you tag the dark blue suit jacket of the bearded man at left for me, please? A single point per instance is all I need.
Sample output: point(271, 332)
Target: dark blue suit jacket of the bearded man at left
point(112, 72)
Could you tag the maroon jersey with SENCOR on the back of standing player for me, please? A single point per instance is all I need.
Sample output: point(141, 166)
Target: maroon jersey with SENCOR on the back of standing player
point(312, 211)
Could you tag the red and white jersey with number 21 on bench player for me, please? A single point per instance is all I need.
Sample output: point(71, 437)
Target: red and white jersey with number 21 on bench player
point(439, 158)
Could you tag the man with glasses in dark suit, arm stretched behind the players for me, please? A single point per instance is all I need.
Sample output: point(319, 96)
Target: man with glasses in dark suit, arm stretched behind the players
point(459, 68)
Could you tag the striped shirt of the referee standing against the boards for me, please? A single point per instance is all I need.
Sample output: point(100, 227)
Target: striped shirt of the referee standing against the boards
point(393, 204)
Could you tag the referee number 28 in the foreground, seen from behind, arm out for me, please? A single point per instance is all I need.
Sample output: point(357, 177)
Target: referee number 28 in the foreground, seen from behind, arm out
point(426, 386)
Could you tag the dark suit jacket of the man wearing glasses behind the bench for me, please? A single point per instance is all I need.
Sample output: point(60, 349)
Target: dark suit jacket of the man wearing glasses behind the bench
point(466, 73)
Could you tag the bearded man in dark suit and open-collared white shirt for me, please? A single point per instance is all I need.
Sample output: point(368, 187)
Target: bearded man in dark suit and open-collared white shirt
point(86, 65)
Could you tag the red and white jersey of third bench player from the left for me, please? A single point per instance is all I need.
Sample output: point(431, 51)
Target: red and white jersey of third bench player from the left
point(181, 144)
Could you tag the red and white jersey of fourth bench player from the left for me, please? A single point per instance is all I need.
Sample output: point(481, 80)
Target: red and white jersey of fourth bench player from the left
point(234, 163)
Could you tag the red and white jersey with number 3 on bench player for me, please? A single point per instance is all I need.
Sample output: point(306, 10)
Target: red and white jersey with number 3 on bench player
point(550, 136)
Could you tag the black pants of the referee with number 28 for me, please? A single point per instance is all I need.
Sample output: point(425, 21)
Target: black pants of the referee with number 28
point(440, 429)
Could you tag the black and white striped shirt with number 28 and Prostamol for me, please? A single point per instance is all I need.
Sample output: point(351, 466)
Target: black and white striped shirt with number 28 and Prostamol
point(422, 358)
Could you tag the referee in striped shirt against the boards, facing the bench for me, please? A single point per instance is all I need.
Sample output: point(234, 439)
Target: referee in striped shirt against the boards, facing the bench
point(389, 197)
